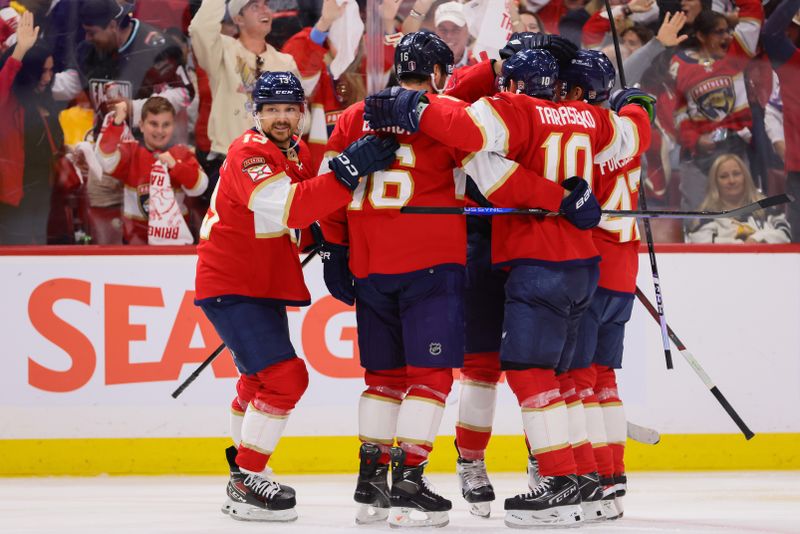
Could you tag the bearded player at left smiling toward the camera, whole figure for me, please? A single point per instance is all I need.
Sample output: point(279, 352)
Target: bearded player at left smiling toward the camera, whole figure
point(248, 271)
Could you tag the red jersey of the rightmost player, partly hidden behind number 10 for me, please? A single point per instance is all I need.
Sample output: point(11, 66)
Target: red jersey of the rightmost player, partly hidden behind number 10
point(617, 238)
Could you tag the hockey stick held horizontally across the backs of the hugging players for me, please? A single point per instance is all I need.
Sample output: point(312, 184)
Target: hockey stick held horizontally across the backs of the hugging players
point(639, 214)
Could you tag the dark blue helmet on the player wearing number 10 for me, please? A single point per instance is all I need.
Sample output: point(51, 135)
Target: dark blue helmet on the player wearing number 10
point(533, 72)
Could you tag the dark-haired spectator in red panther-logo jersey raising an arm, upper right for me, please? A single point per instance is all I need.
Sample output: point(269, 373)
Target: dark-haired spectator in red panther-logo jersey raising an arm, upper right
point(713, 115)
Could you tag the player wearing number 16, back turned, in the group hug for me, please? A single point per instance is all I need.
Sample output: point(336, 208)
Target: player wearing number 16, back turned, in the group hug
point(408, 294)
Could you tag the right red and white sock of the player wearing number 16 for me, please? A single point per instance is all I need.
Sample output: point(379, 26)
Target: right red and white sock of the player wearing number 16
point(421, 411)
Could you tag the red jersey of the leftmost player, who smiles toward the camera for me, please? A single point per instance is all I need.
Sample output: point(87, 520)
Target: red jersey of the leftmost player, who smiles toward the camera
point(246, 245)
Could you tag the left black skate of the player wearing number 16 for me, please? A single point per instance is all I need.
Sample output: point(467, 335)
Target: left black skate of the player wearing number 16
point(372, 489)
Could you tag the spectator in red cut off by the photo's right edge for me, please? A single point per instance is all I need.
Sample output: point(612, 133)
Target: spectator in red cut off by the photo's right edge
point(781, 37)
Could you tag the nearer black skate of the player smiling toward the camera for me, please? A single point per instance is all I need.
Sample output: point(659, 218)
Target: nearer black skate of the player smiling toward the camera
point(259, 498)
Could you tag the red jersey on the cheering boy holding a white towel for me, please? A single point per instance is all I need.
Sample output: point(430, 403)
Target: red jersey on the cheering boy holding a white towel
point(132, 164)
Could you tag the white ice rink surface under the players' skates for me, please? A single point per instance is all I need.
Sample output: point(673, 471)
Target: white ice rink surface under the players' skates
point(766, 502)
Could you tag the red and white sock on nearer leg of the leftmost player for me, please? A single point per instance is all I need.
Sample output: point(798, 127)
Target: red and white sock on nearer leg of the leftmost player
point(277, 389)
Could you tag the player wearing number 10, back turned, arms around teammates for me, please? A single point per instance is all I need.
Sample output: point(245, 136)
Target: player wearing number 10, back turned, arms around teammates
point(553, 265)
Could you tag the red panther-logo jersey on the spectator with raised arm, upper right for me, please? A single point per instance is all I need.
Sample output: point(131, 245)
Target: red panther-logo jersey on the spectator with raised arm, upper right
point(712, 94)
